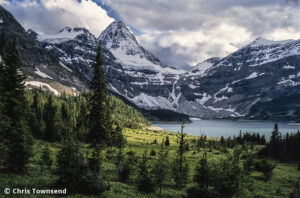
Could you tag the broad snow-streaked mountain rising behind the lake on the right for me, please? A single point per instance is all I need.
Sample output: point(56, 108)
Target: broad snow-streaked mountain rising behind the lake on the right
point(262, 72)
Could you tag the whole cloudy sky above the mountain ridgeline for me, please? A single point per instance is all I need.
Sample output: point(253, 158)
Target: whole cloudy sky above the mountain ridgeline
point(180, 33)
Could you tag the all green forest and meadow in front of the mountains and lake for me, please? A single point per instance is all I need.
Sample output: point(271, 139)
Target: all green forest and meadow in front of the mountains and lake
point(95, 145)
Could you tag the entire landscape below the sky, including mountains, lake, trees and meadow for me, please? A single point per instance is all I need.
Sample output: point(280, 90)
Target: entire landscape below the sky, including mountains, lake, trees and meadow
point(100, 115)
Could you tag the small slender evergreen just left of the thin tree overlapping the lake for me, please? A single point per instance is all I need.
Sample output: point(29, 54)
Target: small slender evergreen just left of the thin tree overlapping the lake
point(161, 168)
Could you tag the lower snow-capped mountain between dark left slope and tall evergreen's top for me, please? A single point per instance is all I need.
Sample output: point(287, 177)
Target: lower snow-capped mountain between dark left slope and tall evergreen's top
point(75, 48)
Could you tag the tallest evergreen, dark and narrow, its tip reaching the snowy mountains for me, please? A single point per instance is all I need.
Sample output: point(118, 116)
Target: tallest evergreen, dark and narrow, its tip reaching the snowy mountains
point(100, 125)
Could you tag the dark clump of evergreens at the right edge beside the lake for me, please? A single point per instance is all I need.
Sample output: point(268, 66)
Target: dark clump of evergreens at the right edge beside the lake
point(283, 148)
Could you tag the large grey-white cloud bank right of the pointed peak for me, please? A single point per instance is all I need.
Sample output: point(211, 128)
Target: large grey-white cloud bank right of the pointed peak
point(187, 32)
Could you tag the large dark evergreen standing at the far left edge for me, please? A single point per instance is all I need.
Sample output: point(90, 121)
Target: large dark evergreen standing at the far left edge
point(15, 108)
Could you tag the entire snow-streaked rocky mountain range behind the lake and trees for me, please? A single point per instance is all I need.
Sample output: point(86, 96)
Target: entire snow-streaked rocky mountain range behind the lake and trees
point(260, 80)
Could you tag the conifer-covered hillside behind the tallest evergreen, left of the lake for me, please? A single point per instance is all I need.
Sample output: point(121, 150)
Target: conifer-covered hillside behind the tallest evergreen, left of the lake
point(48, 114)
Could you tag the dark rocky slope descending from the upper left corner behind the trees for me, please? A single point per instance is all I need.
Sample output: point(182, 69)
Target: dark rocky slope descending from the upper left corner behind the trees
point(38, 62)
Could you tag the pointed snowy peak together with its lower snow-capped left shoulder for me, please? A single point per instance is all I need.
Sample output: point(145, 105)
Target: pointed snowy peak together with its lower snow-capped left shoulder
point(131, 71)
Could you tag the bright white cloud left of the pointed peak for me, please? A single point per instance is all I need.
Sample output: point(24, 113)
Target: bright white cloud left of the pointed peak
point(49, 16)
